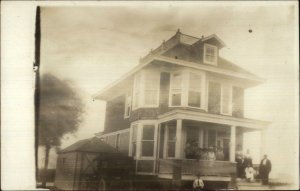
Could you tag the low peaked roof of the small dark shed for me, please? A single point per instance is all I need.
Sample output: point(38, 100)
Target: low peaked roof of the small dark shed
point(90, 145)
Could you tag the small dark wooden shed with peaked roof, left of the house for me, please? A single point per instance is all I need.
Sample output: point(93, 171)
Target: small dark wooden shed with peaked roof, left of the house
point(88, 163)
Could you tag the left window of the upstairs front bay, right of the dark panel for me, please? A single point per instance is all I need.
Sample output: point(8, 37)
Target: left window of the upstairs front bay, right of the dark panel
point(176, 89)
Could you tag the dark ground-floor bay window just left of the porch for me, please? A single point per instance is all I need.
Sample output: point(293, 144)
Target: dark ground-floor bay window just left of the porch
point(148, 141)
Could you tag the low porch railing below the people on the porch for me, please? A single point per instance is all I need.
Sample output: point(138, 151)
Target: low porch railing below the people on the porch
point(192, 167)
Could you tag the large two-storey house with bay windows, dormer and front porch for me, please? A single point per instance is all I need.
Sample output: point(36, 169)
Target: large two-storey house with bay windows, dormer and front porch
point(181, 93)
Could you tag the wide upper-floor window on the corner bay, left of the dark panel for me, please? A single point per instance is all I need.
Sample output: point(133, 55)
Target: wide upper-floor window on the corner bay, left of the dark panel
point(151, 89)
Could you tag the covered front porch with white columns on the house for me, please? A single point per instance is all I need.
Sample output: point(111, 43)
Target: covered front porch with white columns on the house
point(186, 141)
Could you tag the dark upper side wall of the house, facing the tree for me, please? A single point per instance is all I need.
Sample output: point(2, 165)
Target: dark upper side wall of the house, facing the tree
point(114, 117)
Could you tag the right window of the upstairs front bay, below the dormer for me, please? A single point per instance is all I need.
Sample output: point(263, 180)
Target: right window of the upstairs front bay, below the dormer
point(194, 90)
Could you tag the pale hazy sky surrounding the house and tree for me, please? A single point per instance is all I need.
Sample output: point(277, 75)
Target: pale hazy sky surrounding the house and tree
point(93, 46)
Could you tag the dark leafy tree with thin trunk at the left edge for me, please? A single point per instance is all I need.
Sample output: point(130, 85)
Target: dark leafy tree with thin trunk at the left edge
point(60, 113)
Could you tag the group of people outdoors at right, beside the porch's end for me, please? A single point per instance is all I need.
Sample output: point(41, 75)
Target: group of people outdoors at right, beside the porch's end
point(245, 168)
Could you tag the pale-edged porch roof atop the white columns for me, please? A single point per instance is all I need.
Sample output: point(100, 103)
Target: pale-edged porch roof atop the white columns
point(213, 118)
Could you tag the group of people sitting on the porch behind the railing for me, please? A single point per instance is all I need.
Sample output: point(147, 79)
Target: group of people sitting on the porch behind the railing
point(192, 151)
